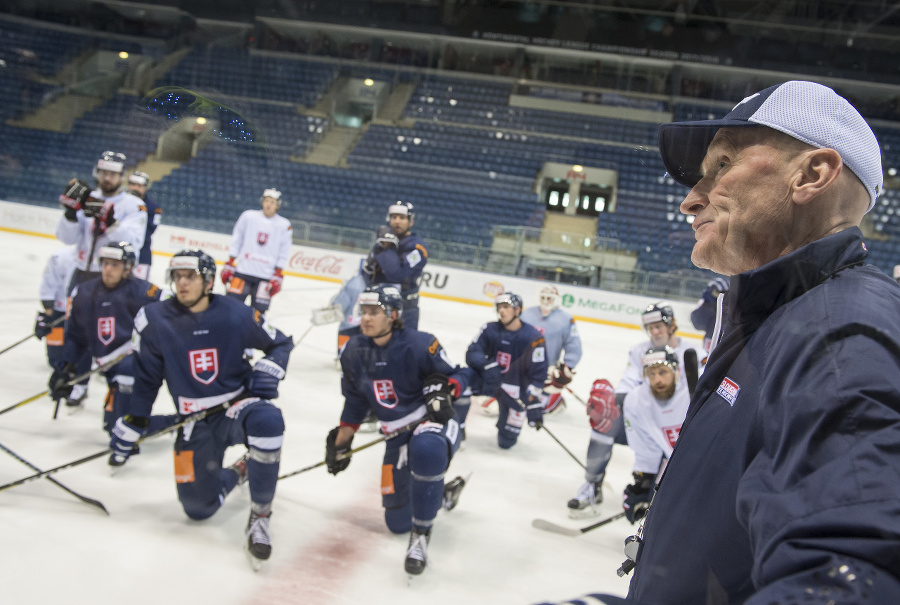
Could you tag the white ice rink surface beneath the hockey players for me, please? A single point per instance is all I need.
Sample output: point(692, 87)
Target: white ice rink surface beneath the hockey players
point(330, 544)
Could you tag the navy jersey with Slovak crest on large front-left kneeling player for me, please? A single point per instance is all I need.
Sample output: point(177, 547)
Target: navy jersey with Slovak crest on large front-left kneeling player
point(200, 355)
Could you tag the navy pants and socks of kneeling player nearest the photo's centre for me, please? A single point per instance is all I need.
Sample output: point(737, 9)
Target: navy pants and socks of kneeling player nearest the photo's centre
point(412, 475)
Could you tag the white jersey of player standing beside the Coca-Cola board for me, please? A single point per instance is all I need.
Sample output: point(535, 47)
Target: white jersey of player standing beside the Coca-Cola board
point(260, 244)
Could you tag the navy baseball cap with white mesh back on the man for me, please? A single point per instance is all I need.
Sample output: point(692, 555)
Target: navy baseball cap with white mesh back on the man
point(806, 111)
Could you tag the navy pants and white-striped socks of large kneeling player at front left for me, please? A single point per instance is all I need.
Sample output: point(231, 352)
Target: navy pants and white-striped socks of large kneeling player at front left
point(200, 480)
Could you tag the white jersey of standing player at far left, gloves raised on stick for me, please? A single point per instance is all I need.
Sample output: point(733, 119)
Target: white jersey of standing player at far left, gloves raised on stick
point(130, 226)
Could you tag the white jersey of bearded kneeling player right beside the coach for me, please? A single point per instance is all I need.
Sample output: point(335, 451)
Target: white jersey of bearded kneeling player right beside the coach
point(652, 426)
